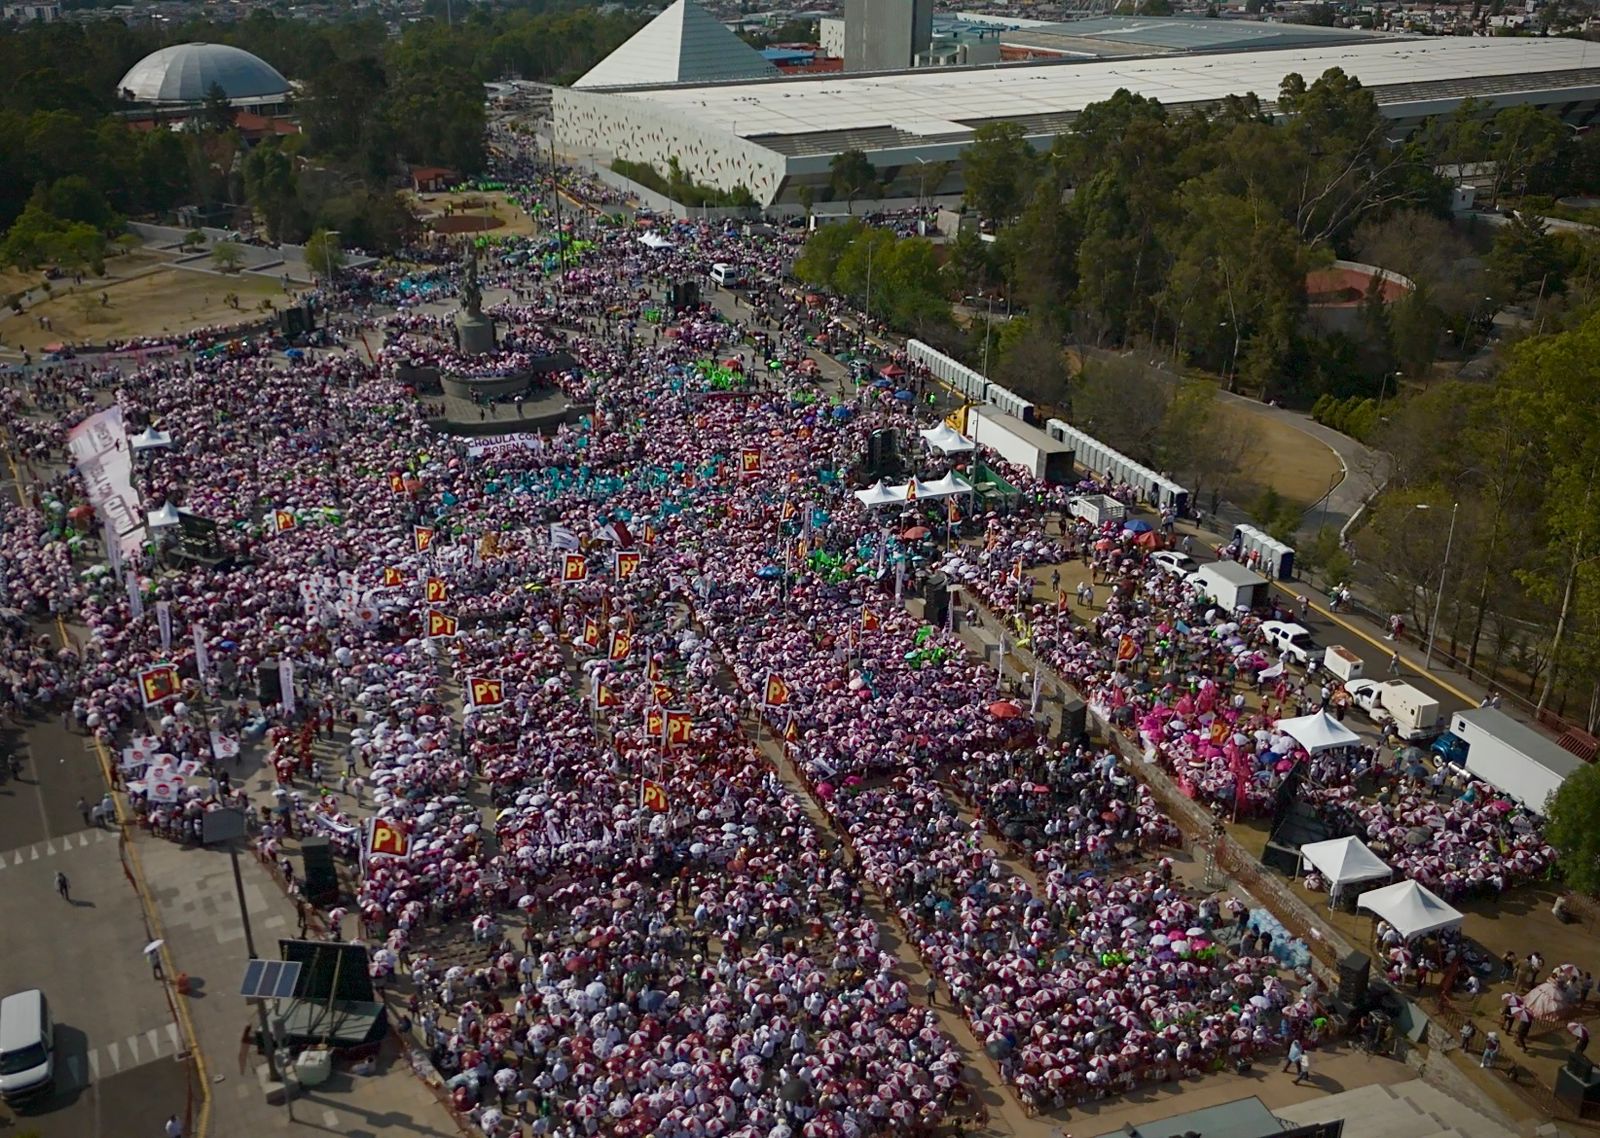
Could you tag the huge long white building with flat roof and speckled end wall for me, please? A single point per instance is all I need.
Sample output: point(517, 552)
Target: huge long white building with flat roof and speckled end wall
point(775, 137)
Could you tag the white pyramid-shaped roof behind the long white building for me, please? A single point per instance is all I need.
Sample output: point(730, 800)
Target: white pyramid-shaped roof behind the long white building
point(686, 44)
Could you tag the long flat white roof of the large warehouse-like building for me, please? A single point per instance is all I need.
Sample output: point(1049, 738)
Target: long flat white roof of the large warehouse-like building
point(938, 102)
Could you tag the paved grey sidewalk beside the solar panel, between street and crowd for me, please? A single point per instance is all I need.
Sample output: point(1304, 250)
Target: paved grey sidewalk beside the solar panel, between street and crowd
point(199, 912)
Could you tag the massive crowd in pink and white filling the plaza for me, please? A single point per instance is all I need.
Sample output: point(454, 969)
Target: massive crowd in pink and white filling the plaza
point(670, 944)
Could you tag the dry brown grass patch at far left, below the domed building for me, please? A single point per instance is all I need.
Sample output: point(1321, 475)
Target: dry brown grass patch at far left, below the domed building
point(161, 302)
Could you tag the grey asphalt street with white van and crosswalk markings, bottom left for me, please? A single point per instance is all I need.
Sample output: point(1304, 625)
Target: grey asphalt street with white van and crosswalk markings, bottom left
point(118, 1068)
